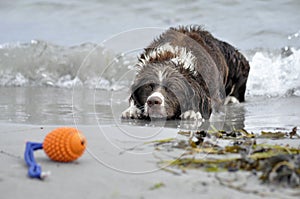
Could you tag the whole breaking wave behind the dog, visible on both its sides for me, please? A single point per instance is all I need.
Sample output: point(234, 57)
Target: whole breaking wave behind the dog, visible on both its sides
point(39, 63)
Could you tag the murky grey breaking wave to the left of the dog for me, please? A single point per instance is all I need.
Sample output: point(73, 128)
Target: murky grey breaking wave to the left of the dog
point(39, 63)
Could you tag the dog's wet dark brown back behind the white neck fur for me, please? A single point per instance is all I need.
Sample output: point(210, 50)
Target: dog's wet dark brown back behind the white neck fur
point(231, 64)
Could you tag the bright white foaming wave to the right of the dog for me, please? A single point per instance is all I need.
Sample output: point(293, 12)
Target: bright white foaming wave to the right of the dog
point(275, 73)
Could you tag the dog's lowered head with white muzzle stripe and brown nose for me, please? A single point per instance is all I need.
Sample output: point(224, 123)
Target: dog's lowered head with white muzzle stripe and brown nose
point(161, 90)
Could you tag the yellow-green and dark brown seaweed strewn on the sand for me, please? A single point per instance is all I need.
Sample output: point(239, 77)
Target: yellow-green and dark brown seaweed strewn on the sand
point(277, 164)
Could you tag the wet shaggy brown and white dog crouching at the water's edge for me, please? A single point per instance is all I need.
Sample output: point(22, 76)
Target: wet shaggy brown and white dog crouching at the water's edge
point(186, 73)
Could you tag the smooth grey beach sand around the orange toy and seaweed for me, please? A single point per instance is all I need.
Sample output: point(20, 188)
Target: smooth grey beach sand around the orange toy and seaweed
point(127, 170)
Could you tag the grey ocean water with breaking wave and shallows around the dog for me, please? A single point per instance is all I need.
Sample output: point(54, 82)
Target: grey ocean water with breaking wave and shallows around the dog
point(57, 56)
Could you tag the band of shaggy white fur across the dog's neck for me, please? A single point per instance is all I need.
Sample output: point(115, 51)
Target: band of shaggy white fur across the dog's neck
point(181, 57)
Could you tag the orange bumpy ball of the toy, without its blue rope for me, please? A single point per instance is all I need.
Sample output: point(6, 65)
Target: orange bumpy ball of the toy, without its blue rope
point(64, 144)
